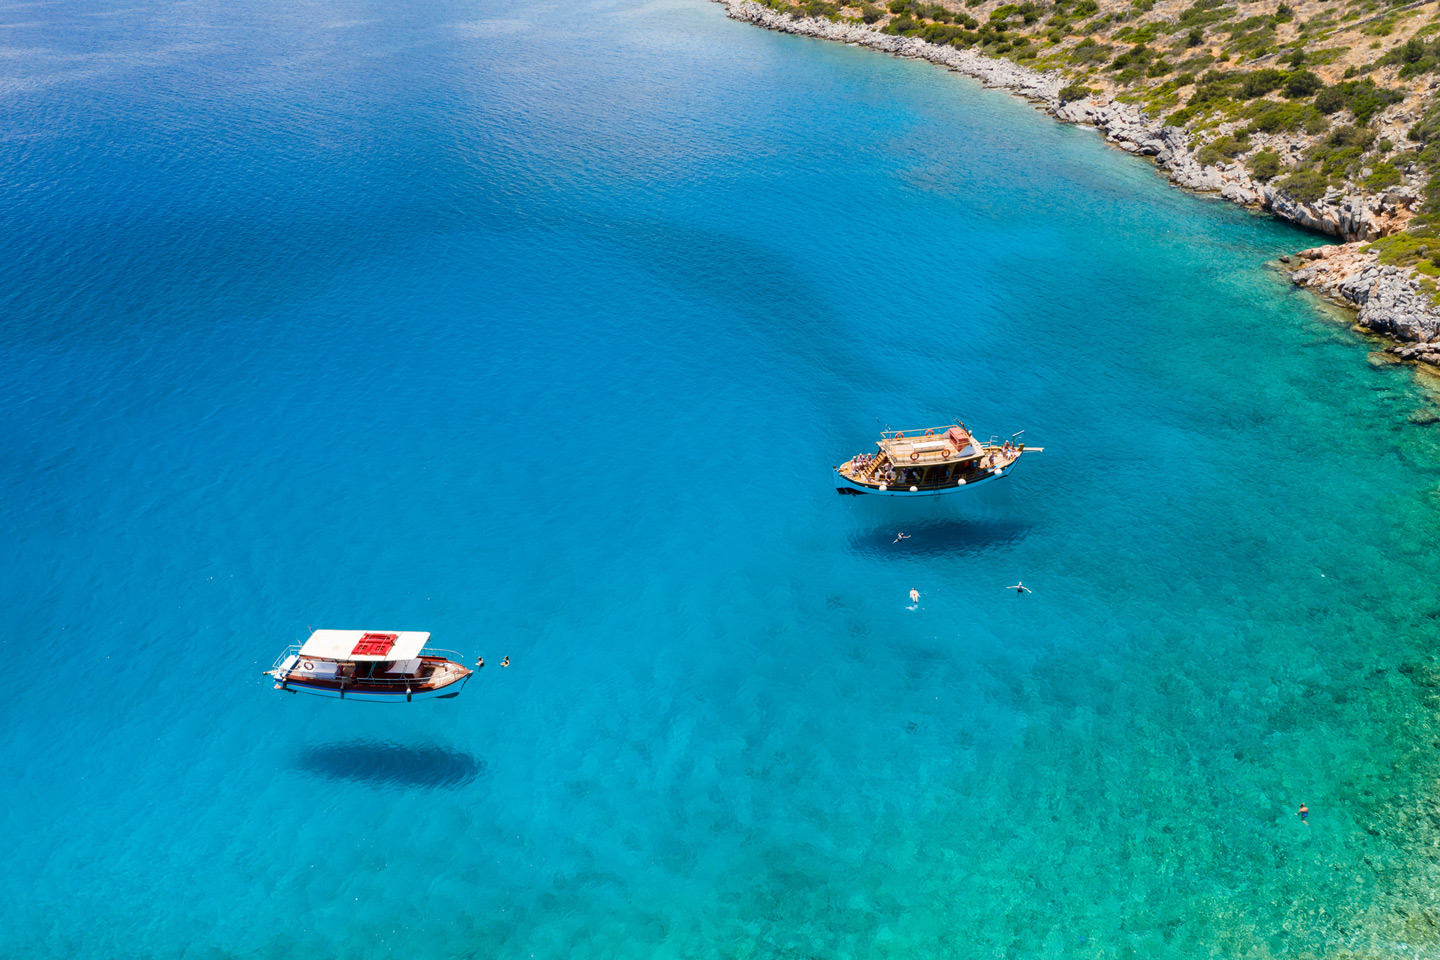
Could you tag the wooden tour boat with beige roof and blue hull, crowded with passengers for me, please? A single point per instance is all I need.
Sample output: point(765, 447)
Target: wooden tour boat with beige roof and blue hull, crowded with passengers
point(928, 463)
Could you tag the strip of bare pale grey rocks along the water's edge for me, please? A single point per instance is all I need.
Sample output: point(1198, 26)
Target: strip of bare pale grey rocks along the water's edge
point(1389, 300)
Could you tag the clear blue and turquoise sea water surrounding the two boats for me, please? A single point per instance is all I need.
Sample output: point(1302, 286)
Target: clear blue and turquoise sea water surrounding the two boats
point(539, 327)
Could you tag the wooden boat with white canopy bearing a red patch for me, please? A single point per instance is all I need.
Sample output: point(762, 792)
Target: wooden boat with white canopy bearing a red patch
point(369, 666)
